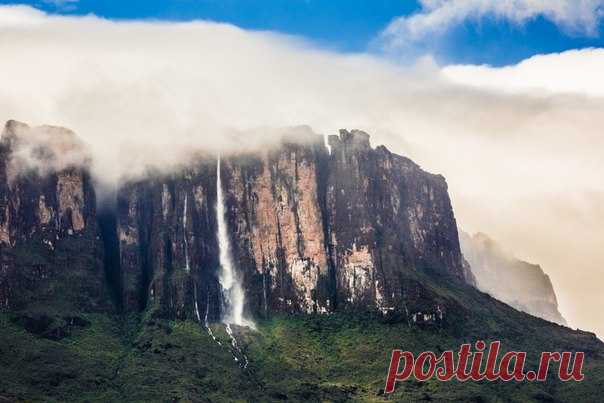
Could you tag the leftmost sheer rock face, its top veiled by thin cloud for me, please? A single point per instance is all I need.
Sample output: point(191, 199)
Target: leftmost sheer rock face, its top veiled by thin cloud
point(41, 194)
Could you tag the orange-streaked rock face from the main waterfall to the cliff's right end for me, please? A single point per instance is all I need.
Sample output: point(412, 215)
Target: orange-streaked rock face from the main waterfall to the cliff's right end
point(314, 231)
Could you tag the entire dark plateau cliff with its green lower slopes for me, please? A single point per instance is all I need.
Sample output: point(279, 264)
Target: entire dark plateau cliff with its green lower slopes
point(344, 254)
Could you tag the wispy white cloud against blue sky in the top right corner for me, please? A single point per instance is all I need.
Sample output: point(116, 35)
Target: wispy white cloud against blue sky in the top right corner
point(579, 17)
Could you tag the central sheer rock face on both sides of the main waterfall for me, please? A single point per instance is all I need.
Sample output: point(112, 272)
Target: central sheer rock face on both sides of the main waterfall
point(311, 231)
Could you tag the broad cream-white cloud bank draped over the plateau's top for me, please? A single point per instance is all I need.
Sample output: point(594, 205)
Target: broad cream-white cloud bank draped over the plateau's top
point(522, 165)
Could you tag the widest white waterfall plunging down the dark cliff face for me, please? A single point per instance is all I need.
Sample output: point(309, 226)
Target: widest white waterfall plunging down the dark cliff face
point(234, 298)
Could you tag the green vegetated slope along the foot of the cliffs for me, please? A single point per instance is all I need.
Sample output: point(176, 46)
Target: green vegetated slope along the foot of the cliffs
point(53, 349)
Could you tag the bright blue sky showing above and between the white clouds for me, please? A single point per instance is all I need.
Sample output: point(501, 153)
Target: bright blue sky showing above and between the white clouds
point(353, 25)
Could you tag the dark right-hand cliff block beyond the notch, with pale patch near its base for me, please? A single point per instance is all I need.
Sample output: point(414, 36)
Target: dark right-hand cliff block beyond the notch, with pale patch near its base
point(385, 216)
